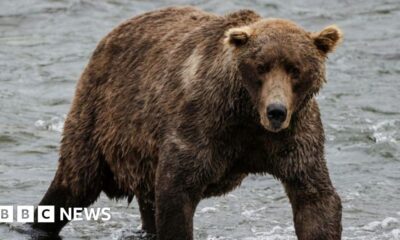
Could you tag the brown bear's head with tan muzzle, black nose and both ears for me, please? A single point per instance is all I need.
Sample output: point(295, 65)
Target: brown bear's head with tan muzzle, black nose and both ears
point(281, 66)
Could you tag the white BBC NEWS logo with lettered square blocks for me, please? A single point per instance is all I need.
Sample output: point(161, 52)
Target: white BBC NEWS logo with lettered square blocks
point(46, 214)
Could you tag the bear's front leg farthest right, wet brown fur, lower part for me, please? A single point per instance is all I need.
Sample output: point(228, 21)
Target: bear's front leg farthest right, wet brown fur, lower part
point(317, 209)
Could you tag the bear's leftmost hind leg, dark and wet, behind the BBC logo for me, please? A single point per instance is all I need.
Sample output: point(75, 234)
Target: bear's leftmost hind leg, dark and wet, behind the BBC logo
point(77, 183)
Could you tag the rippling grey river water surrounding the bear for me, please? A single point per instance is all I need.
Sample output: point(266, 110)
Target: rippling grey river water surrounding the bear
point(45, 44)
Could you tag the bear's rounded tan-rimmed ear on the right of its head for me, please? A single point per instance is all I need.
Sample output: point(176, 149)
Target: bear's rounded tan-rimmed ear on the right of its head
point(327, 40)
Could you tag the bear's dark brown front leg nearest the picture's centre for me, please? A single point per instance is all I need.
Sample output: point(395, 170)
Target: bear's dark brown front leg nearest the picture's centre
point(181, 179)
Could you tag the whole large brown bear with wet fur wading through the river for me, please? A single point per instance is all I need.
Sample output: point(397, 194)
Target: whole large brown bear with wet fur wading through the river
point(177, 105)
